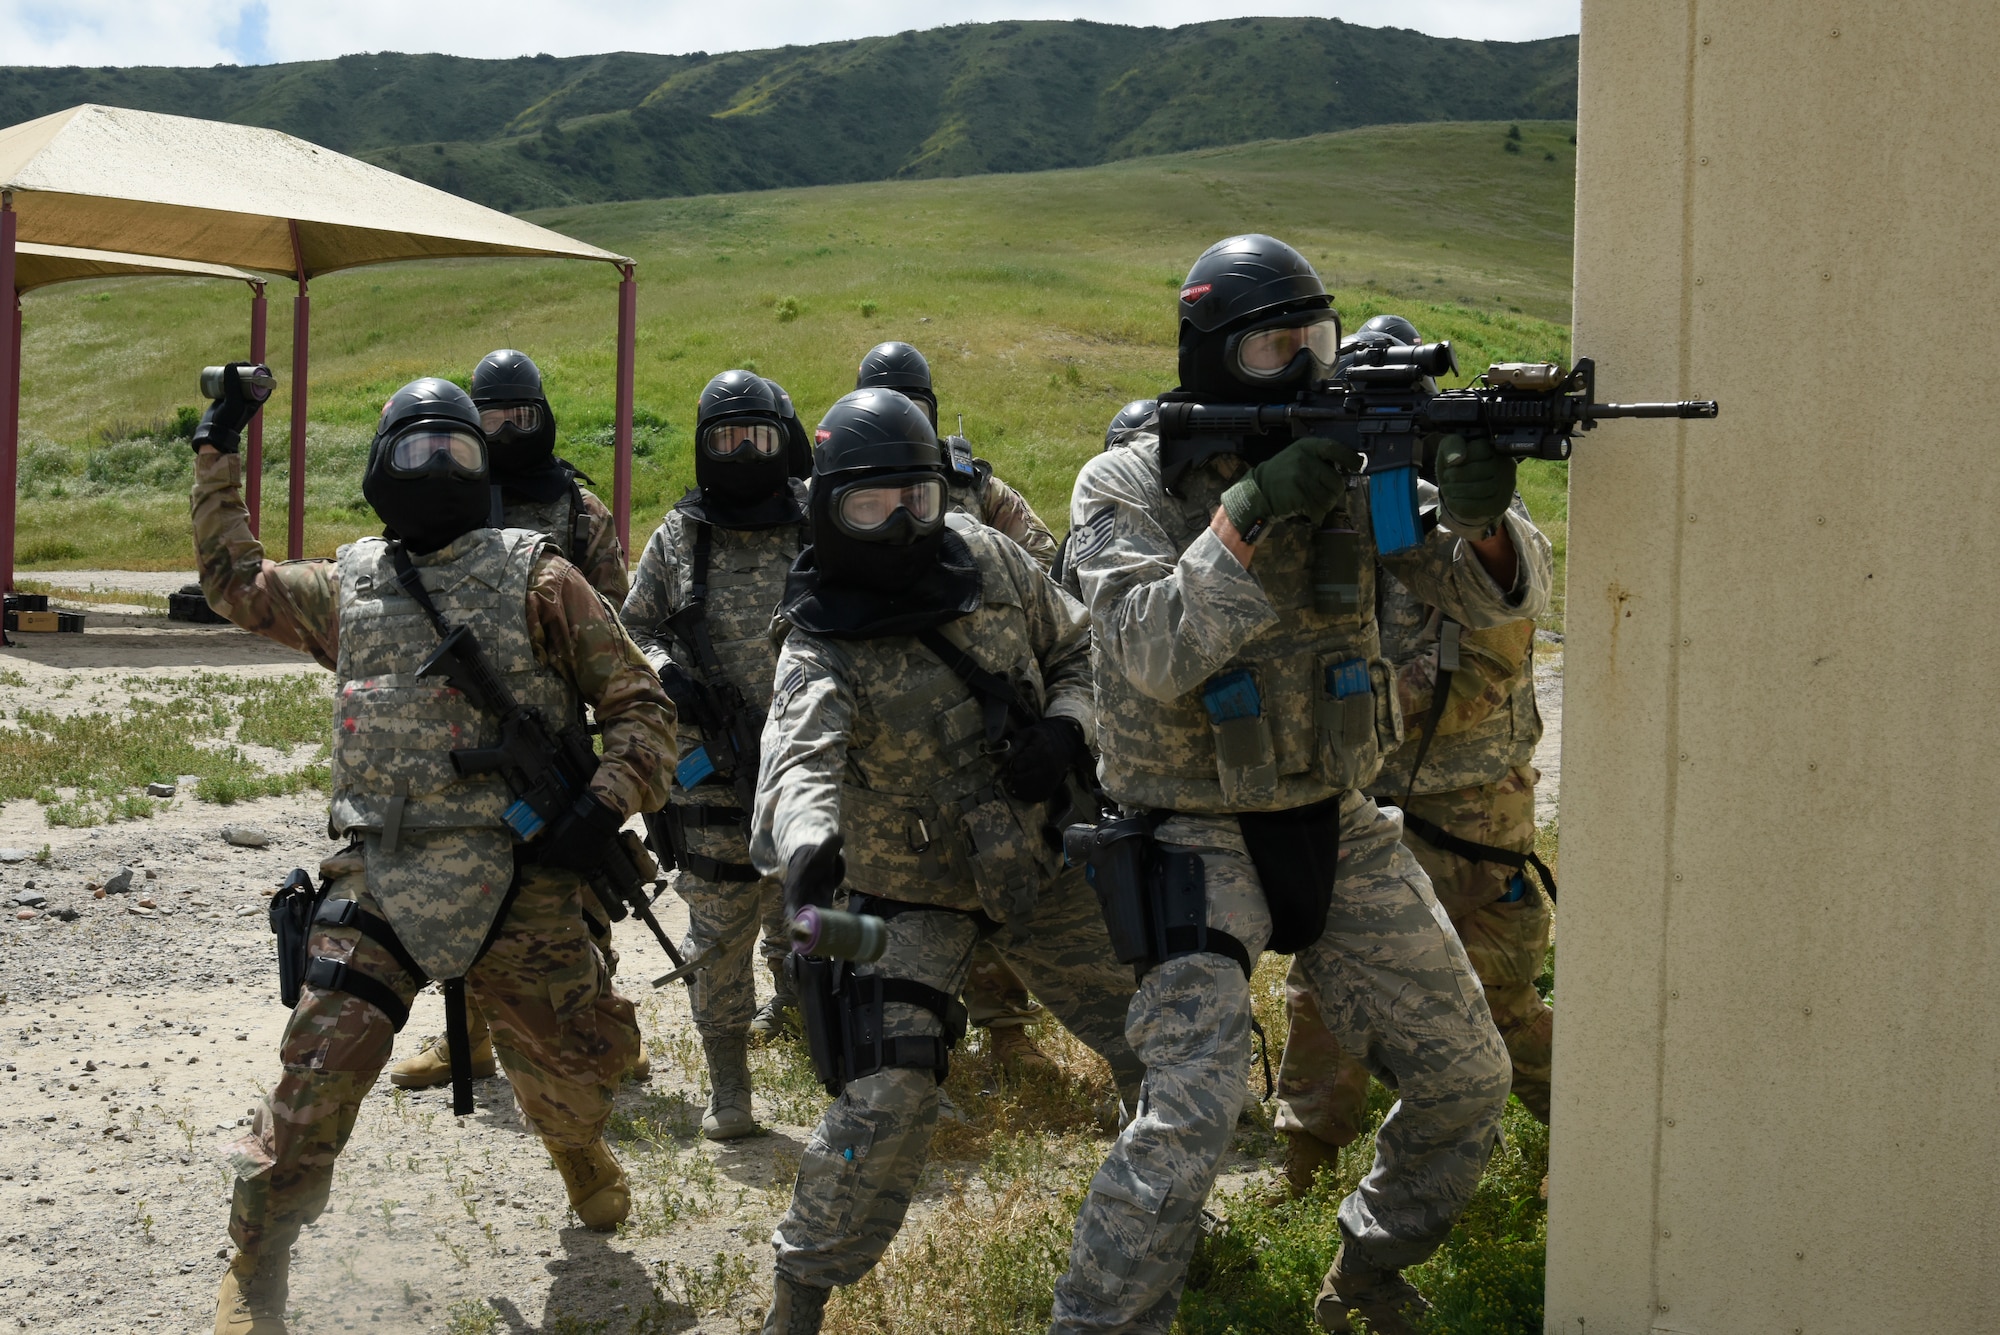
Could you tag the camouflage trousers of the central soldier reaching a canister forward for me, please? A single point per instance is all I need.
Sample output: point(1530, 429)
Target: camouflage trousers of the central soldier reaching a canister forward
point(865, 1158)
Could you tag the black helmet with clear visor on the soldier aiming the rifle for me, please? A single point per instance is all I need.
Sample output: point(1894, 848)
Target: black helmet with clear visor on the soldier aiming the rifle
point(1255, 321)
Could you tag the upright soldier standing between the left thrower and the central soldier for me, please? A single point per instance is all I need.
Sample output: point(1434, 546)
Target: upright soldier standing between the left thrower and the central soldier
point(701, 609)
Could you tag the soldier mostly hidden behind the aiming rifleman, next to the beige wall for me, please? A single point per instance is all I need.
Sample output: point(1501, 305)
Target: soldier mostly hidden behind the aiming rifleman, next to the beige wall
point(1473, 794)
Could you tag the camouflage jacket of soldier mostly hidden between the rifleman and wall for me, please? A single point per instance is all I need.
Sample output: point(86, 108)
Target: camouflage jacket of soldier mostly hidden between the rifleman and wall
point(1491, 722)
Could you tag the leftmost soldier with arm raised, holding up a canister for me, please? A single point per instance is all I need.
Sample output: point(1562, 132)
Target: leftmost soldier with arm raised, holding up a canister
point(431, 870)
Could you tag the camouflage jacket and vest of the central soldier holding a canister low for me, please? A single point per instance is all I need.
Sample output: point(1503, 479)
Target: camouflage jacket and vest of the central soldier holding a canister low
point(883, 742)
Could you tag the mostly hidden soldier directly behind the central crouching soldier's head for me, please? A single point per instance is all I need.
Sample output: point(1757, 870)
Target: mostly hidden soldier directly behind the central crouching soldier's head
point(997, 1000)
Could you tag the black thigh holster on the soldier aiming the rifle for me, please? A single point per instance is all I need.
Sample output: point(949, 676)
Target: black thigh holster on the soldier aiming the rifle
point(1155, 902)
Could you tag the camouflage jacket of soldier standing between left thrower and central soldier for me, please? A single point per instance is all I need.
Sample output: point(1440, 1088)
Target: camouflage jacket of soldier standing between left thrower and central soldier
point(747, 573)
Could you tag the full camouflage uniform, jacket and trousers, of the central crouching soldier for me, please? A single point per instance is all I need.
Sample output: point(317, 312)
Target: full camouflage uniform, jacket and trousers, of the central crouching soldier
point(871, 738)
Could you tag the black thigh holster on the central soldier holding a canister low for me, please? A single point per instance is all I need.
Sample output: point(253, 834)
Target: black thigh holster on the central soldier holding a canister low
point(845, 1022)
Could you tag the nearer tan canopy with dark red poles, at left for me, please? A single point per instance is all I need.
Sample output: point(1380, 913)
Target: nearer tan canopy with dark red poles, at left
point(209, 193)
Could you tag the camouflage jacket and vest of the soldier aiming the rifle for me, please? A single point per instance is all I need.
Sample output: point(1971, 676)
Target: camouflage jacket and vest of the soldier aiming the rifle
point(1177, 621)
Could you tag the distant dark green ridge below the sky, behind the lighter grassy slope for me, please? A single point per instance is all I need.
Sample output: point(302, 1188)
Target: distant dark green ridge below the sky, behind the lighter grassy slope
point(1015, 97)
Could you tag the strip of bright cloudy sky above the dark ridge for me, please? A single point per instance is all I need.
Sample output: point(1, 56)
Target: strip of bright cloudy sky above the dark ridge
point(253, 31)
